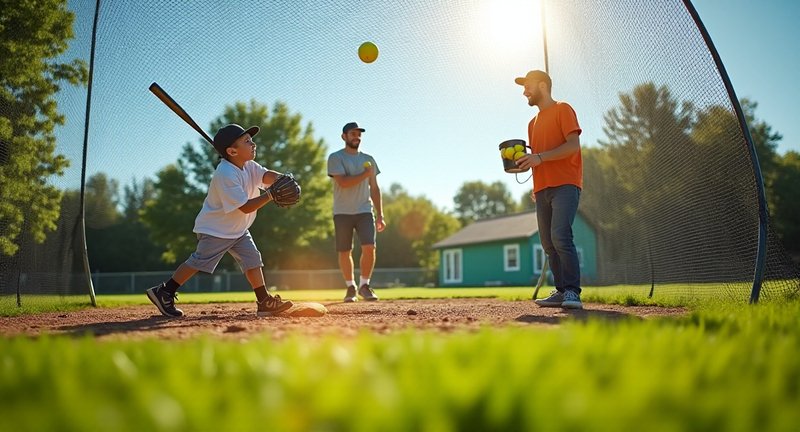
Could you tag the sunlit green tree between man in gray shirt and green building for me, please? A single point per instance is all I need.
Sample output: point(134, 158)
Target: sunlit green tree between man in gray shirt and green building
point(414, 224)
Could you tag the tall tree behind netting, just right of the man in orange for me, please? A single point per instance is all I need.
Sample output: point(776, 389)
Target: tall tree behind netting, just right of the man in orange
point(634, 176)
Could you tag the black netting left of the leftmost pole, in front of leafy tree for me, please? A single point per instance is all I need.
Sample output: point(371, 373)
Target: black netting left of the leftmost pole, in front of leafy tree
point(42, 120)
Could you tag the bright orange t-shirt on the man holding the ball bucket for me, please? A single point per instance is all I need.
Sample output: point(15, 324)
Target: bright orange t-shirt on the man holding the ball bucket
point(546, 131)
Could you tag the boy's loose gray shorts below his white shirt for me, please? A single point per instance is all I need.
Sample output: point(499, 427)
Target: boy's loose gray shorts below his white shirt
point(210, 250)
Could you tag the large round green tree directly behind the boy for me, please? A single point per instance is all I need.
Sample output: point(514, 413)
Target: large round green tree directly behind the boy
point(284, 145)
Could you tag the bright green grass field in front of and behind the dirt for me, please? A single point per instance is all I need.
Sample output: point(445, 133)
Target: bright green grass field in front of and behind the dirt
point(721, 367)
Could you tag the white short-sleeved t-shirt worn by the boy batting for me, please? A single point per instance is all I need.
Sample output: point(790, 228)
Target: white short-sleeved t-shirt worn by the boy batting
point(230, 189)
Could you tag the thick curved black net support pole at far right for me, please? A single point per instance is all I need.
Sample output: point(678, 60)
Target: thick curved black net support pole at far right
point(763, 213)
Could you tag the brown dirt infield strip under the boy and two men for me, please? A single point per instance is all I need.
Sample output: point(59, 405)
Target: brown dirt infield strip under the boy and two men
point(238, 320)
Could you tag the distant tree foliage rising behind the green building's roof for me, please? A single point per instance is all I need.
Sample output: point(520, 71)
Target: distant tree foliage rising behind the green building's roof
point(478, 200)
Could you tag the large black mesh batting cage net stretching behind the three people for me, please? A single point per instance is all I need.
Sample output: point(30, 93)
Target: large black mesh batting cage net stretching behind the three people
point(670, 186)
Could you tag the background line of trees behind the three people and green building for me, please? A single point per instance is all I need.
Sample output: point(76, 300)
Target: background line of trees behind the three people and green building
point(147, 225)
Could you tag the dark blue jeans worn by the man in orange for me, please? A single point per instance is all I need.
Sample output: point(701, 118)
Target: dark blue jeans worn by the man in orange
point(555, 211)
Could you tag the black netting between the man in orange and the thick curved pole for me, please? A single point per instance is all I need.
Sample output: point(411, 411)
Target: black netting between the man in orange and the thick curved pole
point(668, 181)
